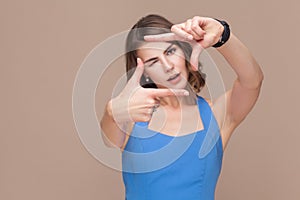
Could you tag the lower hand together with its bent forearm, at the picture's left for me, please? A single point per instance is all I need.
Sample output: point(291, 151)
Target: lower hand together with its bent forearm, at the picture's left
point(133, 104)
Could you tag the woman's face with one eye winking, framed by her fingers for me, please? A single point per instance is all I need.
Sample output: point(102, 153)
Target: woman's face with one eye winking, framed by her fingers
point(164, 64)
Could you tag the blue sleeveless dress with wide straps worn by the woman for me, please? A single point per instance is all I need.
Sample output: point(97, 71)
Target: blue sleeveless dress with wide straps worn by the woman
point(157, 166)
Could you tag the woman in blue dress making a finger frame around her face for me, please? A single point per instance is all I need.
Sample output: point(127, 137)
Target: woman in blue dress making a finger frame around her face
point(154, 120)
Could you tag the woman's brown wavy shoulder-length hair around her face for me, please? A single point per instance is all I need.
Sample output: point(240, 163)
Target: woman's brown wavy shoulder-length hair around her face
point(152, 25)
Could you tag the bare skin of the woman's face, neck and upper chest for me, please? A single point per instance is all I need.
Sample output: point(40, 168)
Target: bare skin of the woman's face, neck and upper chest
point(162, 60)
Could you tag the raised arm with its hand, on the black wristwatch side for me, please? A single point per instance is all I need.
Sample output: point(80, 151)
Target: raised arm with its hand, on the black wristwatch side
point(232, 107)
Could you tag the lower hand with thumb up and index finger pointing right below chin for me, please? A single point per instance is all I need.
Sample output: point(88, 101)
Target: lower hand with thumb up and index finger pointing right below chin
point(136, 103)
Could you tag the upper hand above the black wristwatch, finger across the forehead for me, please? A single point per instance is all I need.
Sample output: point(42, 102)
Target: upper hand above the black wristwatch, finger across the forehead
point(200, 32)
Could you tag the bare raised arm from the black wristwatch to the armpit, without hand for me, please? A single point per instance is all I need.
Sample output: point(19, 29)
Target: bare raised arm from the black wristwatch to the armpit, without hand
point(240, 99)
